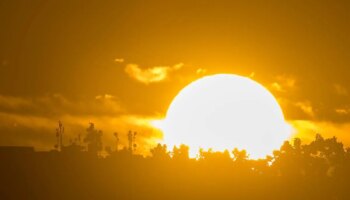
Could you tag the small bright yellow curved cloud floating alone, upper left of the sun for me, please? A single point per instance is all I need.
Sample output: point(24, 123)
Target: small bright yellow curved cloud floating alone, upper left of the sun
point(151, 75)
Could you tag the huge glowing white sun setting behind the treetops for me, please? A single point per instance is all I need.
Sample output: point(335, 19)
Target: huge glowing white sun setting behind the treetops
point(226, 111)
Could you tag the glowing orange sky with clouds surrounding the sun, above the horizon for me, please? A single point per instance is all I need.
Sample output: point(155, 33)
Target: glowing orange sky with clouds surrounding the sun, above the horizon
point(120, 63)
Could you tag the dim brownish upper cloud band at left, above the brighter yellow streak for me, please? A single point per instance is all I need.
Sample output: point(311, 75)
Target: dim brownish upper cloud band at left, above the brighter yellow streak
point(55, 105)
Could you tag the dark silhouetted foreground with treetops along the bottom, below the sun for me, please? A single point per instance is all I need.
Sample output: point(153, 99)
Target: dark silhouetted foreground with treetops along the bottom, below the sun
point(319, 170)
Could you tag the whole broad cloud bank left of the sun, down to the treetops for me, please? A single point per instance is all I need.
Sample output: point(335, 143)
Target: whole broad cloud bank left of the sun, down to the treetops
point(32, 121)
